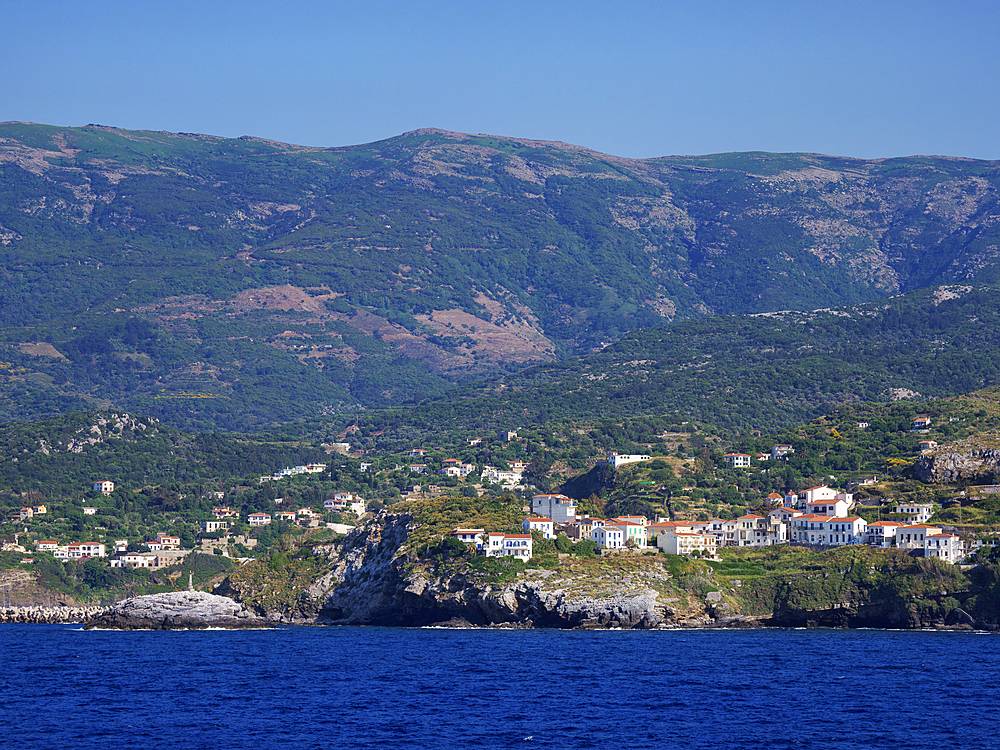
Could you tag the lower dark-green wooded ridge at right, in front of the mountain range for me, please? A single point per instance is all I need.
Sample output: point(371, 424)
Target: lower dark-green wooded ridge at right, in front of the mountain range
point(745, 373)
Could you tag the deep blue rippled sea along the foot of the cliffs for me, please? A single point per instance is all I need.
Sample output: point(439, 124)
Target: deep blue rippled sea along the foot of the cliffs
point(346, 687)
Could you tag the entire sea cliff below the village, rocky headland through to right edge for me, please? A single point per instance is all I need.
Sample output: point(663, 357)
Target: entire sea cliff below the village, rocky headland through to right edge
point(372, 578)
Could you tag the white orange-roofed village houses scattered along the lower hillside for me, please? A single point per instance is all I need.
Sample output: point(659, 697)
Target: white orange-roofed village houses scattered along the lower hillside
point(818, 517)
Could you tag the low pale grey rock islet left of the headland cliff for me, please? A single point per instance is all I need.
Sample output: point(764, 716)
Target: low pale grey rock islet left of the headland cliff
point(177, 610)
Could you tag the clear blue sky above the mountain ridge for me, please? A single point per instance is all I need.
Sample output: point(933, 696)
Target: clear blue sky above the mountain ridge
point(635, 78)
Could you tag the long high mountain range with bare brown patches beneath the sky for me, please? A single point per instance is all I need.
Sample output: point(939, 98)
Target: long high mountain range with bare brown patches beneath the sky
point(234, 283)
